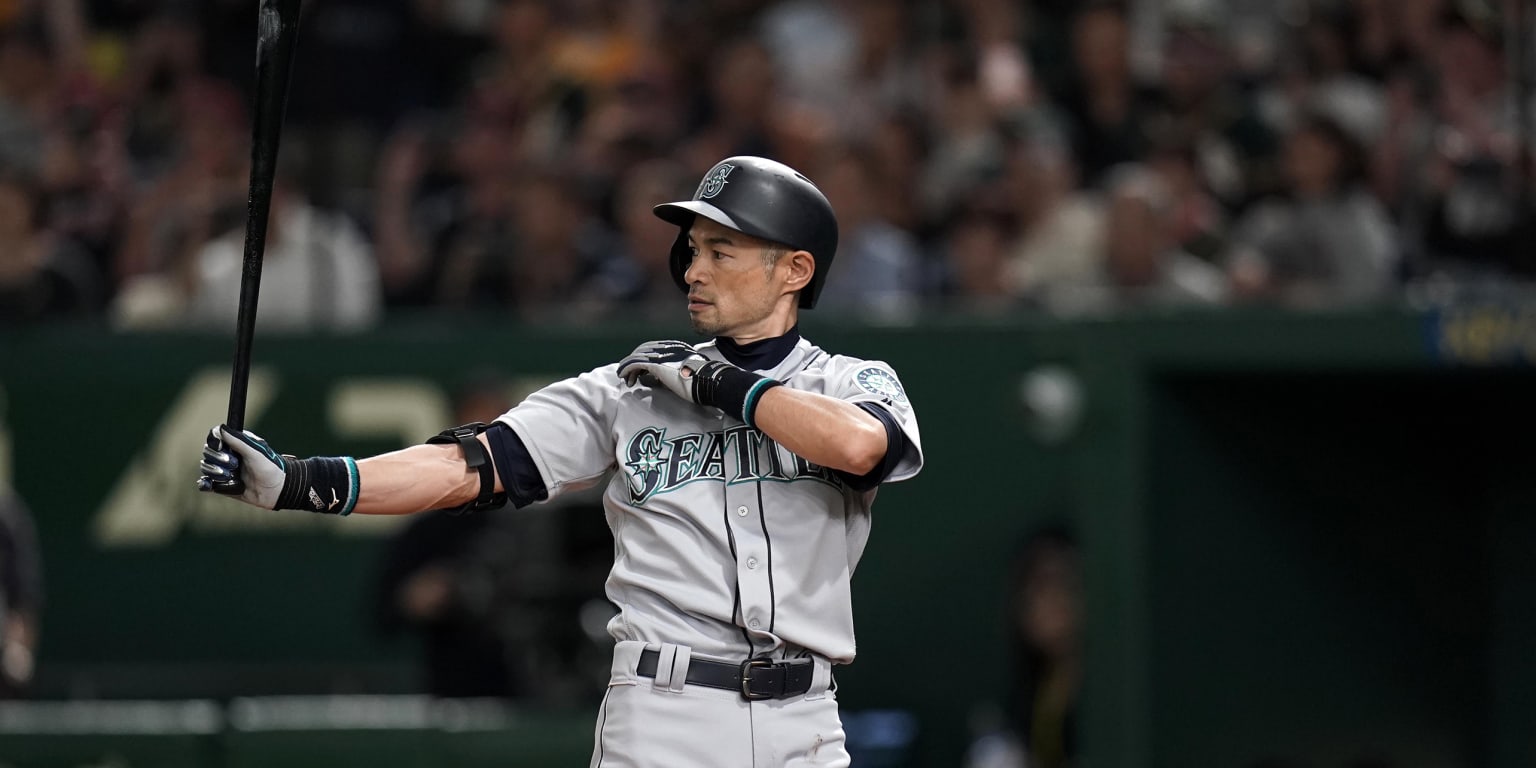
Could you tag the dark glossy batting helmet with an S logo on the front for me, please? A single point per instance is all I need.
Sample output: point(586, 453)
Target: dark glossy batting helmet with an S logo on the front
point(766, 200)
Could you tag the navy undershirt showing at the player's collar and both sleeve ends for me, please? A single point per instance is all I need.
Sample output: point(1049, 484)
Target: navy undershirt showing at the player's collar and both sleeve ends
point(520, 477)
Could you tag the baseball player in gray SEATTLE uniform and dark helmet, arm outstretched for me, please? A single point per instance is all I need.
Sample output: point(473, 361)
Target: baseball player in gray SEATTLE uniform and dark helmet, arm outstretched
point(743, 477)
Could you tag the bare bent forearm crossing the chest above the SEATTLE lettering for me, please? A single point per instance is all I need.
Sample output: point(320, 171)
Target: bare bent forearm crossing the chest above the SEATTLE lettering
point(824, 431)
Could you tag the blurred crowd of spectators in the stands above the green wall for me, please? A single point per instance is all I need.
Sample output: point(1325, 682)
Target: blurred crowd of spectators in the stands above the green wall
point(1001, 156)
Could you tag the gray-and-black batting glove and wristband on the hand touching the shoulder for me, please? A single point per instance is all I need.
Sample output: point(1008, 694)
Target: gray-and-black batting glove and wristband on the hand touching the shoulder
point(687, 374)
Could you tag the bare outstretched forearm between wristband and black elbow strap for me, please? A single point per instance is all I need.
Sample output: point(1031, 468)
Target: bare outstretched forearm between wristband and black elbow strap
point(415, 480)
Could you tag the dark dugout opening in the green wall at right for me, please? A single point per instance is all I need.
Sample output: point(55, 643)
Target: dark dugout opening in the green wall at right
point(1342, 568)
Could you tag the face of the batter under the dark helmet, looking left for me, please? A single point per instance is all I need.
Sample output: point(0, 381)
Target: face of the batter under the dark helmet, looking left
point(733, 290)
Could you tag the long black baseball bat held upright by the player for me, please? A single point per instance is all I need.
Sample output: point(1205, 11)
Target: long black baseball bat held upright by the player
point(277, 30)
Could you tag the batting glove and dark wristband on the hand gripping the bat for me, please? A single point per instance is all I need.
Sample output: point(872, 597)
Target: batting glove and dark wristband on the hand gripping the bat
point(243, 466)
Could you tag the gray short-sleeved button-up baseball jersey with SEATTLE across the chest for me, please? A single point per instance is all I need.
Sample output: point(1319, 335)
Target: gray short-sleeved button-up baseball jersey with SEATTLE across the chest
point(724, 541)
